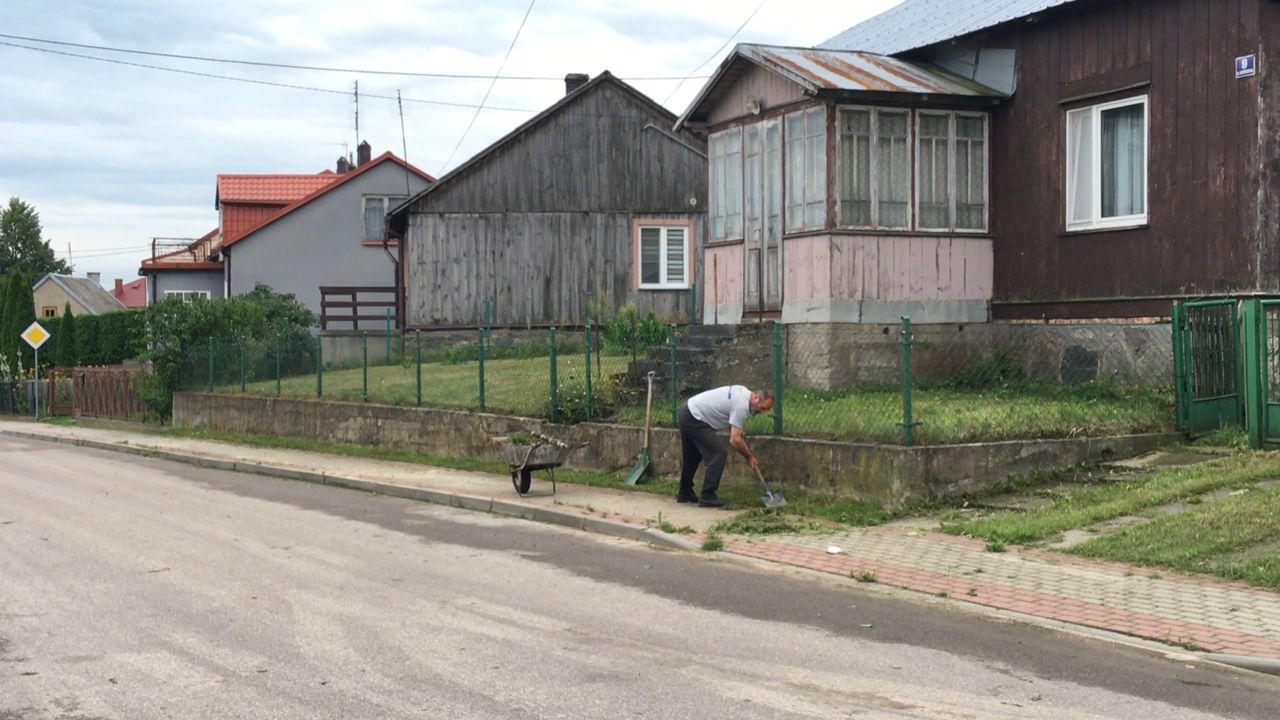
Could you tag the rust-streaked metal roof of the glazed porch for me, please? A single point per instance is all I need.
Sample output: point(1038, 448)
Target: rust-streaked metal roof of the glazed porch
point(860, 72)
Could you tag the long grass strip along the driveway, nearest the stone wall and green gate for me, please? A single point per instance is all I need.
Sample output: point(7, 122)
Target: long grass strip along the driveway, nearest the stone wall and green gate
point(1092, 505)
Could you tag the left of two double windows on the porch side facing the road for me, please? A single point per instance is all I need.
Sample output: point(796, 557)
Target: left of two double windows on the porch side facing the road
point(875, 168)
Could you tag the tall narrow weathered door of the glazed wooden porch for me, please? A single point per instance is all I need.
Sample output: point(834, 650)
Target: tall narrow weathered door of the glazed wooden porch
point(762, 206)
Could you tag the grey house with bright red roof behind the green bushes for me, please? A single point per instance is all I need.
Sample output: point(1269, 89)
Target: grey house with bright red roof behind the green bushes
point(294, 233)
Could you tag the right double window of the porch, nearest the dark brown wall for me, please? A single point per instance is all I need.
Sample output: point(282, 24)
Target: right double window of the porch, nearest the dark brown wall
point(952, 172)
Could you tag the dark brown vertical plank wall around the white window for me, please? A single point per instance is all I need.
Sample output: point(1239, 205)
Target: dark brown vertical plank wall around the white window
point(1204, 174)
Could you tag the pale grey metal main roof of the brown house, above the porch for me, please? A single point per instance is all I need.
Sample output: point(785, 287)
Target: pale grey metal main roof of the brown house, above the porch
point(918, 24)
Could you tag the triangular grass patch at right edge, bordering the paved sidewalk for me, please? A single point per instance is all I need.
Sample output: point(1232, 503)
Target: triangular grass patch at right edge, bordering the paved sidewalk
point(1237, 539)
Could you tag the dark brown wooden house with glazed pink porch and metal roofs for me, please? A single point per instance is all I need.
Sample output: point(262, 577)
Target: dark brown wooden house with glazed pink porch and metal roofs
point(1059, 160)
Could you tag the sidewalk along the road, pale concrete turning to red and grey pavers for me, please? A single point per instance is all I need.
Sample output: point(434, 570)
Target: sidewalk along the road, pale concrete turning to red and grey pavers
point(1229, 621)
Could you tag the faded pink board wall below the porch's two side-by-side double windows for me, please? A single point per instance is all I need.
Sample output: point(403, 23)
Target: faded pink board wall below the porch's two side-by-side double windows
point(888, 268)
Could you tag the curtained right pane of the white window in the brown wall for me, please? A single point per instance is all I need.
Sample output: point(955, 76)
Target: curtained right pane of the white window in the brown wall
point(1124, 160)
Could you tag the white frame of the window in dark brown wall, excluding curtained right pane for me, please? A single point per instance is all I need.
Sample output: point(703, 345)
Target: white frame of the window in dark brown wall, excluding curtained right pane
point(1096, 221)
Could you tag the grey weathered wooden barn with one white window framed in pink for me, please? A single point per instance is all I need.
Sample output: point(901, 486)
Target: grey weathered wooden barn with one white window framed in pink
point(595, 195)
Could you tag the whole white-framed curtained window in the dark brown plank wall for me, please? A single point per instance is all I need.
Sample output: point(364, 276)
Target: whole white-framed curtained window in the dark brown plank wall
point(1107, 166)
